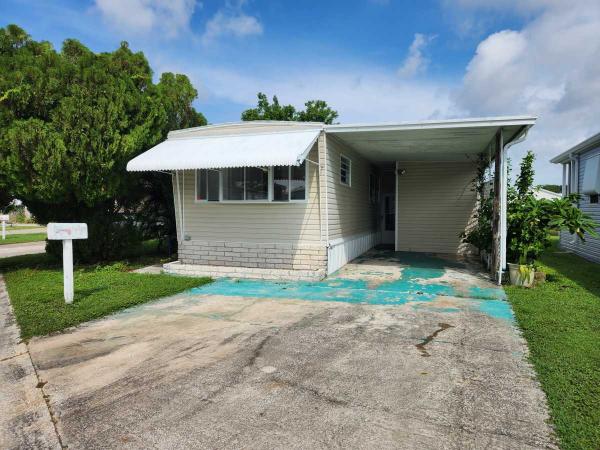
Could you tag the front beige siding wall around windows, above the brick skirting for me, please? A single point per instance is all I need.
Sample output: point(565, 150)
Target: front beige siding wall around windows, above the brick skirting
point(288, 223)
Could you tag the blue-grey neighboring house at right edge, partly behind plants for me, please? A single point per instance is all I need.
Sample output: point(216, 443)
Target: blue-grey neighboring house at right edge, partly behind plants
point(581, 174)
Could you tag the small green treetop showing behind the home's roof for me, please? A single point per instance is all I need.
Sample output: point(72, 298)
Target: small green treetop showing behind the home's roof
point(316, 111)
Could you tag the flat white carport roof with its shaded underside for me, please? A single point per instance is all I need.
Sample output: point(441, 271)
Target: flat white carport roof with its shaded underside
point(446, 140)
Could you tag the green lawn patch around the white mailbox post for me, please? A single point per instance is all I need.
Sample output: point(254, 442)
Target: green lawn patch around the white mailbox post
point(35, 287)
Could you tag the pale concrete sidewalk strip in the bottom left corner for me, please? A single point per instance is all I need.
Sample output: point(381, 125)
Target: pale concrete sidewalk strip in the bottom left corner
point(25, 421)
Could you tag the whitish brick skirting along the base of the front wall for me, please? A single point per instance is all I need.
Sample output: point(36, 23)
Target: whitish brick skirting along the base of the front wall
point(253, 255)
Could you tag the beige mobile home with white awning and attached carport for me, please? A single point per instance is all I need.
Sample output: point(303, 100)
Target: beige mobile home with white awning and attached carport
point(294, 200)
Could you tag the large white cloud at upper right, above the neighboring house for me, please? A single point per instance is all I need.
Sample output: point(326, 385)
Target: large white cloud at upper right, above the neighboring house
point(550, 68)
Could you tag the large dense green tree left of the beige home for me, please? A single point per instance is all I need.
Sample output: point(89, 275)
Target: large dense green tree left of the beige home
point(69, 123)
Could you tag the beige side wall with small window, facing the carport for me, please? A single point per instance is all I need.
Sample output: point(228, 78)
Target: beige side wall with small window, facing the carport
point(350, 210)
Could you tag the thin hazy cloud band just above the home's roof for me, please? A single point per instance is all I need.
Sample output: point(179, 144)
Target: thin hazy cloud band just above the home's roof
point(359, 94)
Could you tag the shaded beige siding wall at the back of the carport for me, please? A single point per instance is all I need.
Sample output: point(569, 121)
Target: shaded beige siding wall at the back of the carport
point(435, 203)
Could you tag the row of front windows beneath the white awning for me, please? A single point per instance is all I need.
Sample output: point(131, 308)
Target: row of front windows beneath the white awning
point(252, 184)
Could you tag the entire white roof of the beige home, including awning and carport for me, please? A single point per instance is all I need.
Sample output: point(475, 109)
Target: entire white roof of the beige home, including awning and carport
point(271, 143)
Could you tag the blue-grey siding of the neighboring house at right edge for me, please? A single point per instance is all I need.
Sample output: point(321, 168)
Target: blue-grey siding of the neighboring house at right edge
point(590, 249)
